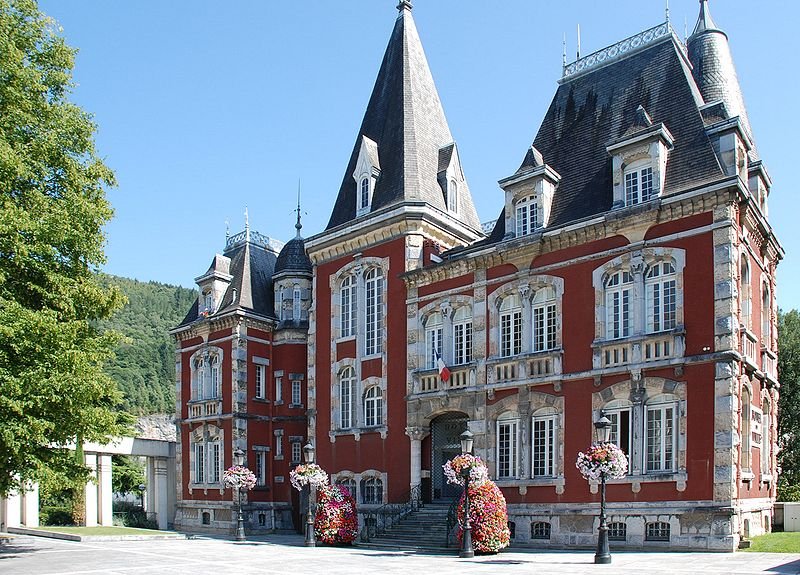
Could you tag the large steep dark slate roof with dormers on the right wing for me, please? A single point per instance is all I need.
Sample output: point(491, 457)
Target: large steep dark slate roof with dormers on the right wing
point(596, 108)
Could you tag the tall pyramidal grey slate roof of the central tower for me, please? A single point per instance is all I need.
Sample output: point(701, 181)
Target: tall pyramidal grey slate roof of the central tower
point(405, 119)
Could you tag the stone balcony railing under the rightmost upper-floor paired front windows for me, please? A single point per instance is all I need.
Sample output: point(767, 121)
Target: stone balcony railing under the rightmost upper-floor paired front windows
point(640, 349)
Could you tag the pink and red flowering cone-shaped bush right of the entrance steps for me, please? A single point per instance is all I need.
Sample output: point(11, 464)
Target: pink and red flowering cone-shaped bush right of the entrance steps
point(488, 517)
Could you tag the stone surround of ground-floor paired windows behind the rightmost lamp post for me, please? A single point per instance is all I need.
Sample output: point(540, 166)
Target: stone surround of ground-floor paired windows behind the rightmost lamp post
point(637, 393)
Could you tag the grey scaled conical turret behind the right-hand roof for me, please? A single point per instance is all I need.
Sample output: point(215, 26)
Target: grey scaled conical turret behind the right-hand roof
point(713, 68)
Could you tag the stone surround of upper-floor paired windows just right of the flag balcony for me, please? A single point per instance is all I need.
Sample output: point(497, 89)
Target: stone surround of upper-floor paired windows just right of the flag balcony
point(526, 288)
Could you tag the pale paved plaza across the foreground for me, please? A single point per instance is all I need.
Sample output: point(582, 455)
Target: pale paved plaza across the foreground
point(285, 554)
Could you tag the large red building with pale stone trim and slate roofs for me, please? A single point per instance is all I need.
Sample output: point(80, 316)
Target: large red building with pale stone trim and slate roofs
point(630, 274)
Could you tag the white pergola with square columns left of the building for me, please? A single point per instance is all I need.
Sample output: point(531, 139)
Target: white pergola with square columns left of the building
point(22, 509)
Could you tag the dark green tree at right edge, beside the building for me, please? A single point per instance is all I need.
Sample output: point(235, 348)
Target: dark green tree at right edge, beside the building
point(789, 403)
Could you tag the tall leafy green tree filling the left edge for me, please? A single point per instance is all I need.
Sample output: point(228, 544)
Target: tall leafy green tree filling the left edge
point(52, 211)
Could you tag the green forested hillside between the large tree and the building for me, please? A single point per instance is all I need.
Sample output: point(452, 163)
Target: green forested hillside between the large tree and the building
point(144, 367)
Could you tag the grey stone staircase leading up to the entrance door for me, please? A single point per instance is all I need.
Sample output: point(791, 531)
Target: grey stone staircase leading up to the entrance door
point(422, 530)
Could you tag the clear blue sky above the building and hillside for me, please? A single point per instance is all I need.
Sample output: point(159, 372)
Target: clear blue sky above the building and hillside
point(205, 108)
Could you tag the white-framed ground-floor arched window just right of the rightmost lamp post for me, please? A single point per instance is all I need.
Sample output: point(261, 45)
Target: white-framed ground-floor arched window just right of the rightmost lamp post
point(661, 416)
